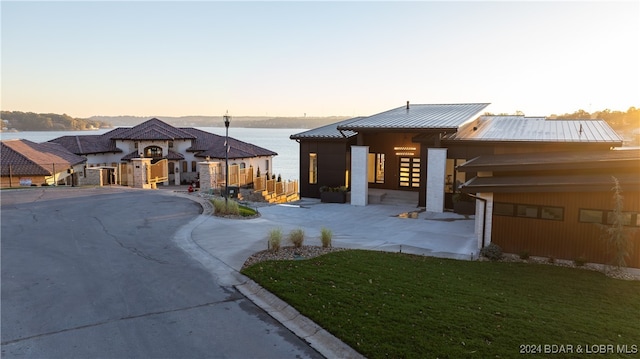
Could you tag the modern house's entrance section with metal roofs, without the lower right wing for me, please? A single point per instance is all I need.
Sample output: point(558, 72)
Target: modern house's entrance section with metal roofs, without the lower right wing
point(416, 148)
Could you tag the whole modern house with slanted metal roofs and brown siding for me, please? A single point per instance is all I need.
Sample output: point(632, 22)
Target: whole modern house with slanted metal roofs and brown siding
point(543, 184)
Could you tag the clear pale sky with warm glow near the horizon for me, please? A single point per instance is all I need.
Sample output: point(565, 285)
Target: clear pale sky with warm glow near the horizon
point(317, 58)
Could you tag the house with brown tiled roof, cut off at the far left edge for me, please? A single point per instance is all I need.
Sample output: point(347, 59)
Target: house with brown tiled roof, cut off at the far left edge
point(26, 163)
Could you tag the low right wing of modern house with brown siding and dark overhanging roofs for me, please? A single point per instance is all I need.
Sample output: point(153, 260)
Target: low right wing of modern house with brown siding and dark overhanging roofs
point(555, 204)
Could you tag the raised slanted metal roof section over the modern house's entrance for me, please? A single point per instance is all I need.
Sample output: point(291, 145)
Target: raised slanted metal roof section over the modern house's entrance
point(419, 117)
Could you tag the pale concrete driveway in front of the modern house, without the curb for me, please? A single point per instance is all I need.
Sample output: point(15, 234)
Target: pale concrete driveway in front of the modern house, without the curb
point(374, 227)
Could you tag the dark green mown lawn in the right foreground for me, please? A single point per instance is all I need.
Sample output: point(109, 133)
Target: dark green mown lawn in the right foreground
point(390, 305)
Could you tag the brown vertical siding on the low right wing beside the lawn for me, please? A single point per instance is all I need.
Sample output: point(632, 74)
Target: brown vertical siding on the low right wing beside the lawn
point(568, 239)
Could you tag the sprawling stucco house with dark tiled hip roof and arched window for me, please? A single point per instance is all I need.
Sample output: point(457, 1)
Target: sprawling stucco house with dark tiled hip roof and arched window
point(176, 150)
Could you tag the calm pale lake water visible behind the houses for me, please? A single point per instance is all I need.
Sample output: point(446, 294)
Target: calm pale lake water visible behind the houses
point(286, 163)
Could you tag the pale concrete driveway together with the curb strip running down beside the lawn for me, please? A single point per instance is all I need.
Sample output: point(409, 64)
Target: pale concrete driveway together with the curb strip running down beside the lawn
point(223, 245)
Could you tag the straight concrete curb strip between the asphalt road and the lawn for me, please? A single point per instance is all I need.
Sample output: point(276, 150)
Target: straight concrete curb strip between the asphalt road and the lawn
point(318, 338)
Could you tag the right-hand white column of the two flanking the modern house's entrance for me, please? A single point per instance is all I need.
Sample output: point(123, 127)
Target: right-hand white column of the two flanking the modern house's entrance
point(436, 170)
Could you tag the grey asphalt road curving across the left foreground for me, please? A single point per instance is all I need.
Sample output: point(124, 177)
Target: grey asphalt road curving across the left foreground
point(94, 273)
